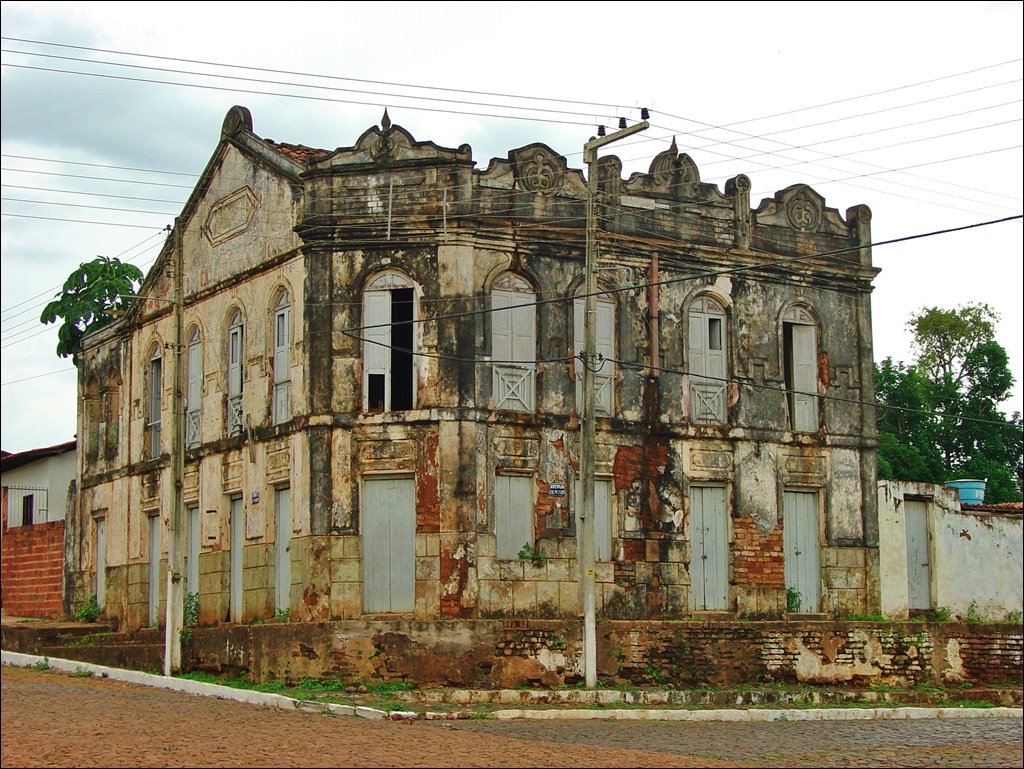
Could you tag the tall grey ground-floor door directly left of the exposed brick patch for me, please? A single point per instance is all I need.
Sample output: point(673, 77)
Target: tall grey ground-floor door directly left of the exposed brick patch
point(709, 549)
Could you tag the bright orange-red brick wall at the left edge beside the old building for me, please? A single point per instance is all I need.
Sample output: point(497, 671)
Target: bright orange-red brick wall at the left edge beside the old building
point(32, 578)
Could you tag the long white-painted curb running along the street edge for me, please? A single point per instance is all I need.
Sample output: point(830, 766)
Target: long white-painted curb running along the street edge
point(269, 700)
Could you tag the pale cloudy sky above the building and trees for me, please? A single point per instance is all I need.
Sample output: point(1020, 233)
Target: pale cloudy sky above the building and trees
point(111, 110)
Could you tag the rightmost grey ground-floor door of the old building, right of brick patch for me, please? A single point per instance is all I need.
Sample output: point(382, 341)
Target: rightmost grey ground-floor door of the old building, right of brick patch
point(800, 543)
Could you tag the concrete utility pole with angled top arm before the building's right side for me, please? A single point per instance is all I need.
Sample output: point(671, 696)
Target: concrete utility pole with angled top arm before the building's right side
point(585, 532)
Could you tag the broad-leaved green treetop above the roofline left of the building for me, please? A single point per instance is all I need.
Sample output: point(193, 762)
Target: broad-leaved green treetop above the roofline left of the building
point(93, 296)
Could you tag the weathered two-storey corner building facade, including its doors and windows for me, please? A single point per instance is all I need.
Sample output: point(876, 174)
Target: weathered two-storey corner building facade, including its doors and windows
point(381, 377)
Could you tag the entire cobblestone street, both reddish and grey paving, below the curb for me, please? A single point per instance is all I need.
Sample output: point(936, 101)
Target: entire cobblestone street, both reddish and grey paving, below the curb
point(57, 719)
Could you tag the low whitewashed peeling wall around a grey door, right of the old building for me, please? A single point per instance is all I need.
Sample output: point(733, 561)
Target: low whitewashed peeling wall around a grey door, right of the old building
point(976, 558)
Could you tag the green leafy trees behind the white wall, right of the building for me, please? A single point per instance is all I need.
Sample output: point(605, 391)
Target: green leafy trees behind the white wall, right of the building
point(952, 426)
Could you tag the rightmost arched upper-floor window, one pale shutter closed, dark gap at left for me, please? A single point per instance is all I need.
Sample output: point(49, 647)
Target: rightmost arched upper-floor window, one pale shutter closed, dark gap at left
point(800, 364)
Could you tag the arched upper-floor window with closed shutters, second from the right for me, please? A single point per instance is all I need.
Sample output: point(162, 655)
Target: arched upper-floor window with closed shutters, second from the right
point(708, 361)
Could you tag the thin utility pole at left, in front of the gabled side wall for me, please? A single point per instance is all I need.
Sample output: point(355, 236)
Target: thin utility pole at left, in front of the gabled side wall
point(176, 562)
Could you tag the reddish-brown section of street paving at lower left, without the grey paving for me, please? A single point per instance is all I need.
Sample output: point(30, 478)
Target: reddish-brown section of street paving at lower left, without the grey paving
point(56, 719)
